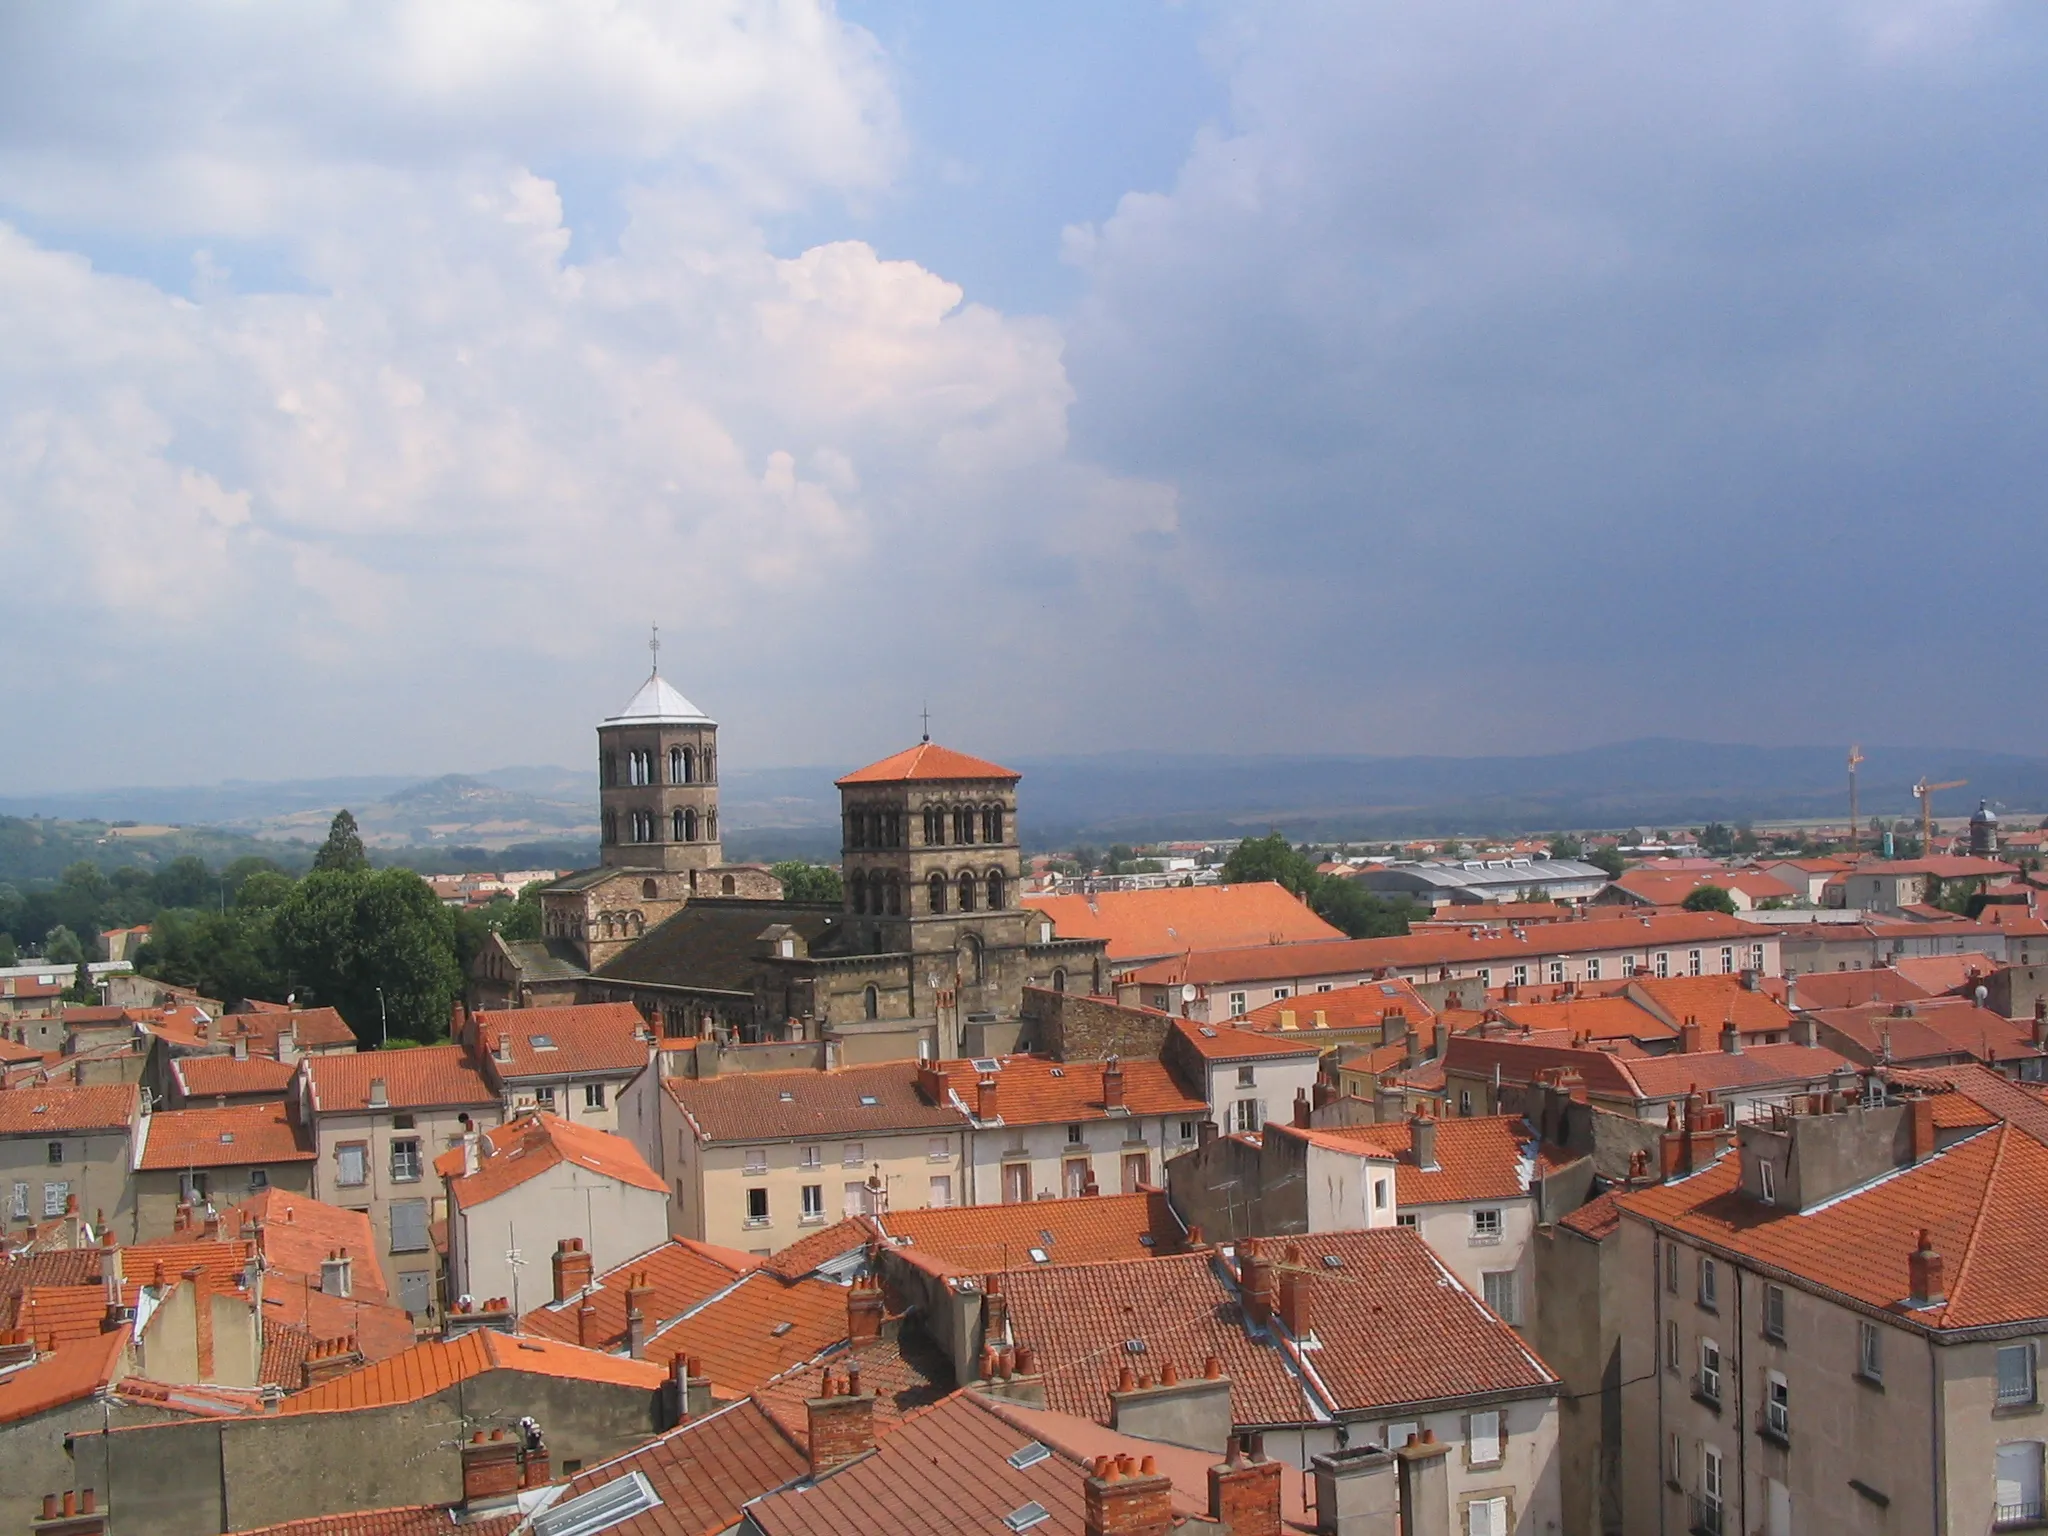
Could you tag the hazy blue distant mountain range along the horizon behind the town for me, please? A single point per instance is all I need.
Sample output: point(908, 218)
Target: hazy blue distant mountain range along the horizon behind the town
point(1136, 798)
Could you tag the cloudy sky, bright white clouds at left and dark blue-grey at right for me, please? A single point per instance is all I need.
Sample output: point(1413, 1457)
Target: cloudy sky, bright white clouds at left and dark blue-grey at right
point(1205, 376)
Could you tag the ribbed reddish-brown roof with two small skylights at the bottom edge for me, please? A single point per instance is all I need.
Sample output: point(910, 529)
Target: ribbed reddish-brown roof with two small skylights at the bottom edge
point(945, 1469)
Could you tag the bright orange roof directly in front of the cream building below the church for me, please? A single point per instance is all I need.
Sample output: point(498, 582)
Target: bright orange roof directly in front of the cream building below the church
point(1089, 1230)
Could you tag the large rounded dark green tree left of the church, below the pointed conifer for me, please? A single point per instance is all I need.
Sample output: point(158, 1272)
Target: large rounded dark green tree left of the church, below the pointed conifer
point(378, 947)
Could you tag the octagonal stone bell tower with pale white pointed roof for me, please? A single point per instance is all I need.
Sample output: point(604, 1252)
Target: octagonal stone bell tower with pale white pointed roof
point(658, 781)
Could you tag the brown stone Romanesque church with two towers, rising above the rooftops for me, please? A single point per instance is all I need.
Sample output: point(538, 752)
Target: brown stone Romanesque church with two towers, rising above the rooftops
point(929, 951)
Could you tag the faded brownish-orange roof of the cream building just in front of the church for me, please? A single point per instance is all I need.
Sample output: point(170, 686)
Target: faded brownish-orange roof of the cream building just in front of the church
point(794, 1105)
